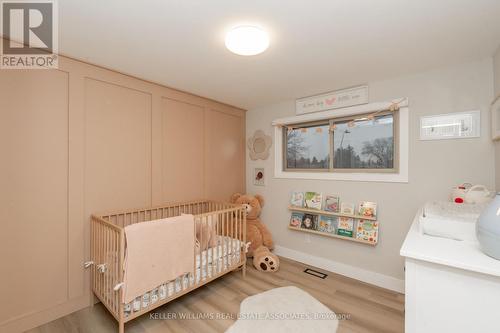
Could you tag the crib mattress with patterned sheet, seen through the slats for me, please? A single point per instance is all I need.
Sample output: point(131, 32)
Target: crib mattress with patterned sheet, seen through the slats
point(213, 261)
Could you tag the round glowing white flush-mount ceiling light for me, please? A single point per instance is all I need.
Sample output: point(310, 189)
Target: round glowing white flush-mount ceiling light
point(247, 40)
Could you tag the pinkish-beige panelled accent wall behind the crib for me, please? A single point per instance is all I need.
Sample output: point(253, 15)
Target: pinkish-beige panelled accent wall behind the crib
point(83, 140)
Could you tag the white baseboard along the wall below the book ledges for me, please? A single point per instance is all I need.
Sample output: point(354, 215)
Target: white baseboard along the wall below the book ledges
point(377, 279)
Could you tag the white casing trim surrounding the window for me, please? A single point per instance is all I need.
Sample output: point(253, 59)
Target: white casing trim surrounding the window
point(400, 177)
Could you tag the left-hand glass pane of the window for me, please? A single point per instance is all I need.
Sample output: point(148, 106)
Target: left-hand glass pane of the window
point(308, 148)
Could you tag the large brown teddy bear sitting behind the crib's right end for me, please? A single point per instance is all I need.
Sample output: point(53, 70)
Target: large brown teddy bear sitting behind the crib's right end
point(257, 232)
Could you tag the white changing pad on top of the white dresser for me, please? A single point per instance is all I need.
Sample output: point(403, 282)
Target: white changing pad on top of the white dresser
point(450, 220)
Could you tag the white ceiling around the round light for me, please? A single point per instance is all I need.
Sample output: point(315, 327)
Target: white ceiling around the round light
point(316, 46)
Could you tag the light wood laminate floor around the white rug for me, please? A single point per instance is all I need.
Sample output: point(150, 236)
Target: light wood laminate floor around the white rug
point(371, 309)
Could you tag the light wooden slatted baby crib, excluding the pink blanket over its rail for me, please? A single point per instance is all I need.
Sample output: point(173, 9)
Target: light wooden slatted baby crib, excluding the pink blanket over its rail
point(108, 254)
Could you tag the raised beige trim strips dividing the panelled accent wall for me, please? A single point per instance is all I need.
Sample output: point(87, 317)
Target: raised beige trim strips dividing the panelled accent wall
point(77, 289)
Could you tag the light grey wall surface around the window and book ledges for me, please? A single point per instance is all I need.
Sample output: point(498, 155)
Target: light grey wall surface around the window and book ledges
point(434, 166)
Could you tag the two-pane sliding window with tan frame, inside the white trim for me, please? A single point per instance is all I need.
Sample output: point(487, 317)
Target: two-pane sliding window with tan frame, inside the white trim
point(353, 144)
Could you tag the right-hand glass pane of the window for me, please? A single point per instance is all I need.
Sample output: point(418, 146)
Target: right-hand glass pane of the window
point(366, 144)
